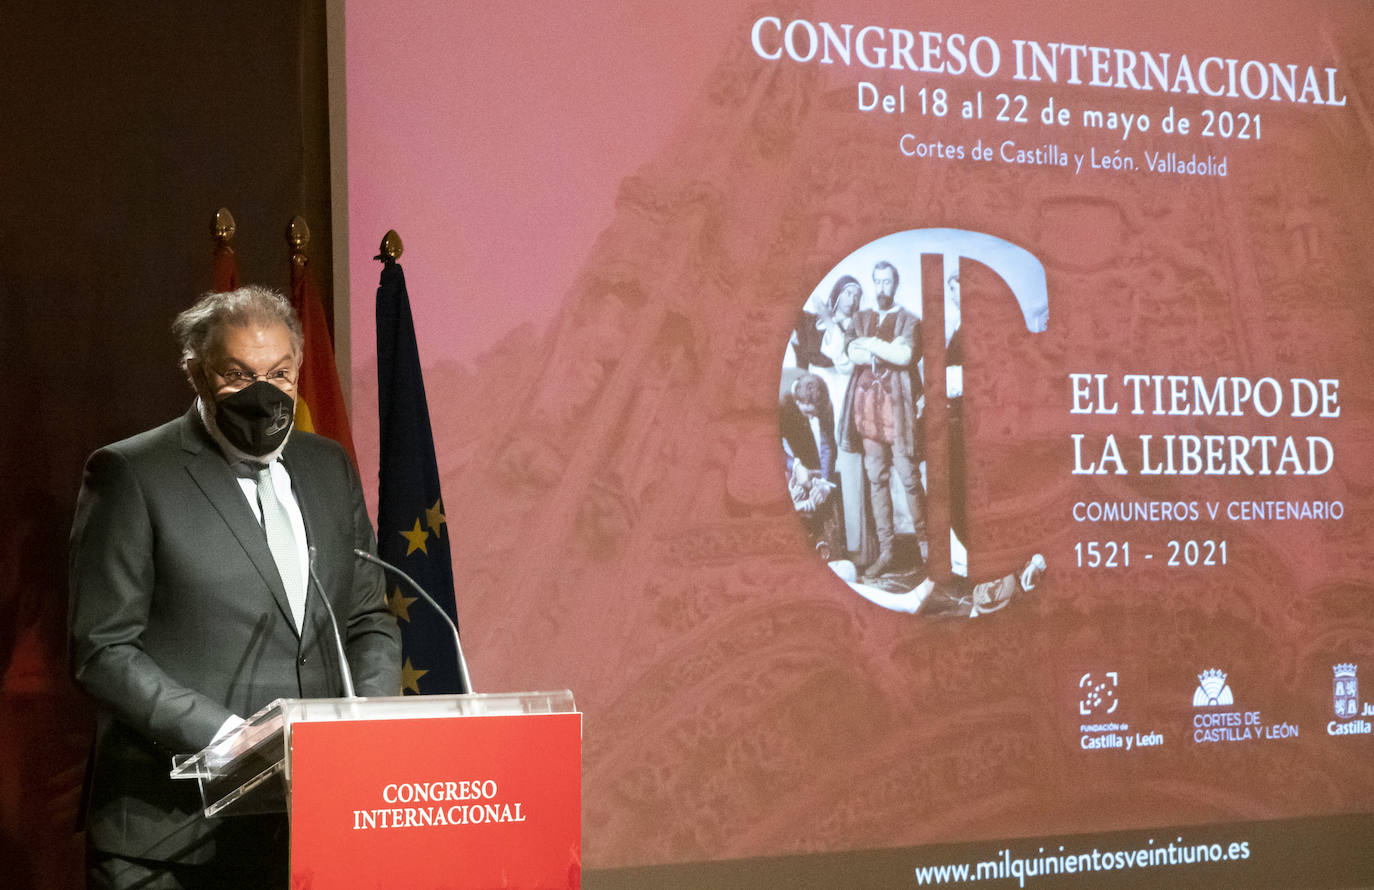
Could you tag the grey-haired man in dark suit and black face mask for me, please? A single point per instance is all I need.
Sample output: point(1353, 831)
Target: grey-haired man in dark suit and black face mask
point(192, 598)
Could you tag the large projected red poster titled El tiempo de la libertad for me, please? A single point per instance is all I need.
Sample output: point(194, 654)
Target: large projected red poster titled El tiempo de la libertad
point(950, 448)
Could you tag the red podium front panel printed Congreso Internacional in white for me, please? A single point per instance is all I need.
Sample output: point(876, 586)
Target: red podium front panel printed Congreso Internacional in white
point(453, 803)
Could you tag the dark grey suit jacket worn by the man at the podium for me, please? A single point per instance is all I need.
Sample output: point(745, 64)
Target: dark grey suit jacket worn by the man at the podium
point(179, 620)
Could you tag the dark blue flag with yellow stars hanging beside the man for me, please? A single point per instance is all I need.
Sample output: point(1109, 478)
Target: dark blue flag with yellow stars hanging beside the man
point(410, 517)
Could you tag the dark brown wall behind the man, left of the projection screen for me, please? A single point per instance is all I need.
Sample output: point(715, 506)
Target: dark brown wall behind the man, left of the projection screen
point(126, 128)
